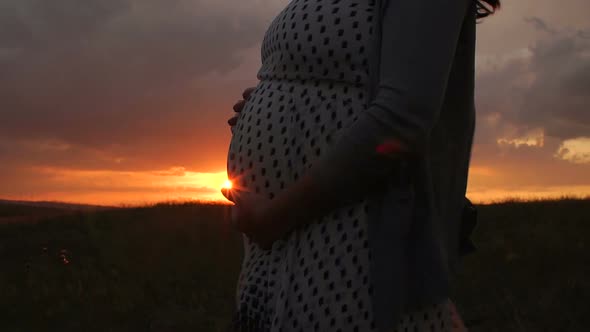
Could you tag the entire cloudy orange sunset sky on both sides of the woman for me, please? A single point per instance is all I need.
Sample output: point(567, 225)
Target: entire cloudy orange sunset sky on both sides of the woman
point(126, 101)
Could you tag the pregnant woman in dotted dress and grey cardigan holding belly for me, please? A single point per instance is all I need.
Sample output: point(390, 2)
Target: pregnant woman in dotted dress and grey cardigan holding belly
point(349, 164)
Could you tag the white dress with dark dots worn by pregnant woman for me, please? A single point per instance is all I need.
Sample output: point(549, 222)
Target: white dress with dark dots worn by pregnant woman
point(312, 85)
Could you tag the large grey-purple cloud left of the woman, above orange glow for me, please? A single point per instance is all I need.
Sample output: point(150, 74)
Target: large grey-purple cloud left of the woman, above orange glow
point(126, 77)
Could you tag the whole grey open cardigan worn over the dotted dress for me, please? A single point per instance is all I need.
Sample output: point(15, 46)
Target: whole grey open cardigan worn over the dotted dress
point(422, 95)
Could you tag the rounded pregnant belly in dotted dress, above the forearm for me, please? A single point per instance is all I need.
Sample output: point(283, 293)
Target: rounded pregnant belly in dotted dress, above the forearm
point(283, 128)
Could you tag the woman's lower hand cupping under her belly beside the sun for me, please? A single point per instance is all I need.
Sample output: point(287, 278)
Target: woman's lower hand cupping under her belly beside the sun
point(254, 215)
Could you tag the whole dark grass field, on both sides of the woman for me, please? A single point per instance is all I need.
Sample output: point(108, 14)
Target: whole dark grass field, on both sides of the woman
point(172, 267)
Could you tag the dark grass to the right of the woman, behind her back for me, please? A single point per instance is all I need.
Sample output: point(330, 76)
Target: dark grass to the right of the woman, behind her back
point(532, 268)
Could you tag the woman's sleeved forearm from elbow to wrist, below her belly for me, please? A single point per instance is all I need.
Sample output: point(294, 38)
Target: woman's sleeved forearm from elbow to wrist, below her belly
point(346, 174)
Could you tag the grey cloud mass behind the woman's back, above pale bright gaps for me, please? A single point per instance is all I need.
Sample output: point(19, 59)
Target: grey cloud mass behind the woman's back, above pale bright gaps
point(546, 87)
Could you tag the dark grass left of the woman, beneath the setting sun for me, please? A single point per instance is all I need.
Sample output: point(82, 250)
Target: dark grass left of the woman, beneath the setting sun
point(138, 269)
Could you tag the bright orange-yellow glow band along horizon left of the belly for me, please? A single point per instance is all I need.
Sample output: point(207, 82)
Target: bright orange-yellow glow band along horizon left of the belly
point(112, 187)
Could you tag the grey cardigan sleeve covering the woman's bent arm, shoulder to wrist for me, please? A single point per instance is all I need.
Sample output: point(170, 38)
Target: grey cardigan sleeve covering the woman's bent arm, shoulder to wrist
point(418, 43)
